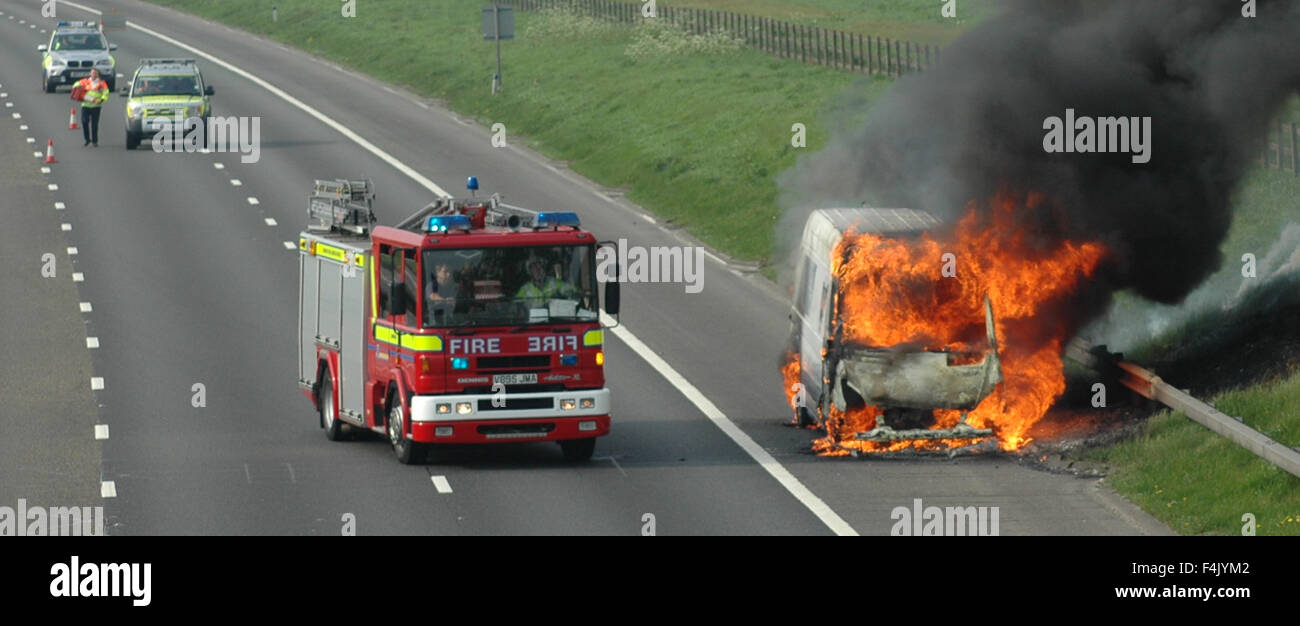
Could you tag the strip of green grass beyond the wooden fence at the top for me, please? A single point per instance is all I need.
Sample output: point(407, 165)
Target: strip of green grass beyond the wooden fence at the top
point(908, 20)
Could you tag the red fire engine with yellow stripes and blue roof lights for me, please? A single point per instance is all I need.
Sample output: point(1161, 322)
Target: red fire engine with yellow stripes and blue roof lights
point(471, 321)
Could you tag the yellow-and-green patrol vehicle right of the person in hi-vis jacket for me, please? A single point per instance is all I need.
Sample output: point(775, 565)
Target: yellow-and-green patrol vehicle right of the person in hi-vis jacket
point(163, 92)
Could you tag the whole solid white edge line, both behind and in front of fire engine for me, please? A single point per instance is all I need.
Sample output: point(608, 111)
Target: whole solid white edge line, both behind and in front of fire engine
point(765, 460)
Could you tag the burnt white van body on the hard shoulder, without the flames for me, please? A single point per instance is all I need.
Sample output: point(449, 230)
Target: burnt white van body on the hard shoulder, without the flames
point(905, 384)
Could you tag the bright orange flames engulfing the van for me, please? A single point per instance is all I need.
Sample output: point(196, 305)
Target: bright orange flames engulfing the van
point(894, 293)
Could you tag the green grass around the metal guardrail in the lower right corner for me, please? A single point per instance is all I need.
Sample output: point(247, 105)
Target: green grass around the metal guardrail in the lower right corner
point(1202, 484)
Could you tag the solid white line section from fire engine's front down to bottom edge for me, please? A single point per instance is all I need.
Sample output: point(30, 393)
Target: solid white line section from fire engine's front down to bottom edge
point(803, 494)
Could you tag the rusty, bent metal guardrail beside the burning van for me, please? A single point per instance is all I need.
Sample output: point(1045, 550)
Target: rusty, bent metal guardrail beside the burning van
point(1149, 385)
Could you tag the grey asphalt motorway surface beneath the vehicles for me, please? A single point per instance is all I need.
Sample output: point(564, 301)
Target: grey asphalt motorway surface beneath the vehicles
point(192, 285)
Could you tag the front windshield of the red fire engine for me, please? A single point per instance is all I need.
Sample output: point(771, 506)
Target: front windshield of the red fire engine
point(509, 286)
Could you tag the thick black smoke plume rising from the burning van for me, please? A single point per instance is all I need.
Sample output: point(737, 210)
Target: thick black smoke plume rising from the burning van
point(1210, 79)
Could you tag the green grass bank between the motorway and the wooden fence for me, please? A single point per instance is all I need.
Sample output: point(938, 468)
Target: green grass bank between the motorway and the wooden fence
point(696, 138)
